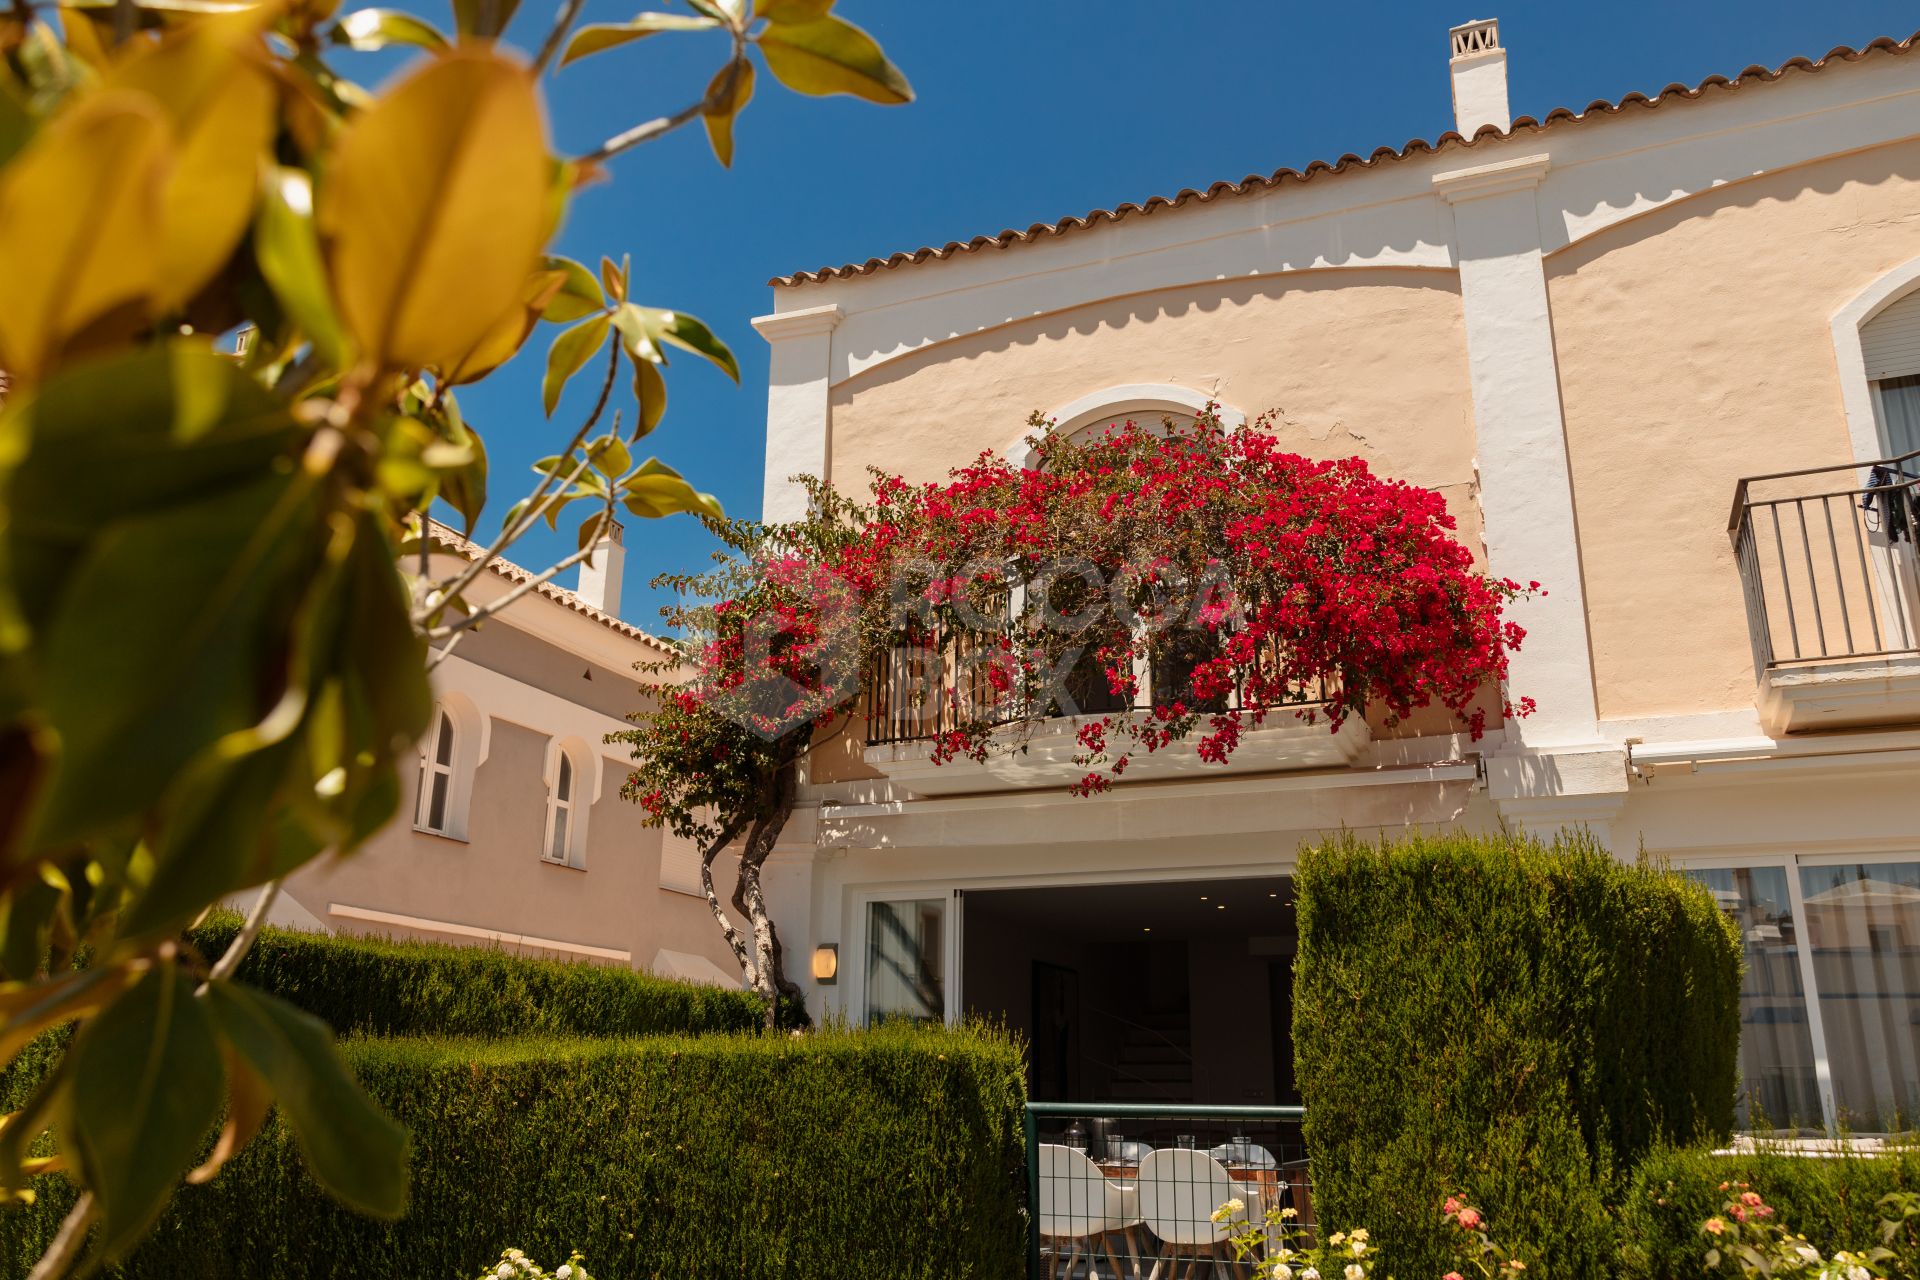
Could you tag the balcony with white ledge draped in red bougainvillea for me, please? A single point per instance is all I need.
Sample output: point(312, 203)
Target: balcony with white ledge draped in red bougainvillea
point(930, 686)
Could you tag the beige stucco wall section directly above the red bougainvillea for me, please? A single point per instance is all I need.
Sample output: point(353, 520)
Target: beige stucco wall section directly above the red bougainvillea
point(1362, 362)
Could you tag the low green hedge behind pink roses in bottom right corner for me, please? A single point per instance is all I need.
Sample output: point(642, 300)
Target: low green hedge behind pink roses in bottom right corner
point(1831, 1200)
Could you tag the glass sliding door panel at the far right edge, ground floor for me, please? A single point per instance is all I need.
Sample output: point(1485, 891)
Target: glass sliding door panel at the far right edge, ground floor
point(1863, 926)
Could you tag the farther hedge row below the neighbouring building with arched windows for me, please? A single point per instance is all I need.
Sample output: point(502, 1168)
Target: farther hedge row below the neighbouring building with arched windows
point(404, 989)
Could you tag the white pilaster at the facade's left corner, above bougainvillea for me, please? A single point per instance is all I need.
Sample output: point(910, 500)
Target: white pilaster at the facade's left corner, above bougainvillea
point(798, 404)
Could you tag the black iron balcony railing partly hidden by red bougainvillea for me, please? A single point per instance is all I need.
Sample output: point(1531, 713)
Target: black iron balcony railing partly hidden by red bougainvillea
point(940, 680)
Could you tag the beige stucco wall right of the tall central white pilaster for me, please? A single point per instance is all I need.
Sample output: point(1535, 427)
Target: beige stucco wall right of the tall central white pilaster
point(1694, 350)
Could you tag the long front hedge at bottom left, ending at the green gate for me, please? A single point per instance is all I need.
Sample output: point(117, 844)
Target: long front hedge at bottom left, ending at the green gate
point(890, 1154)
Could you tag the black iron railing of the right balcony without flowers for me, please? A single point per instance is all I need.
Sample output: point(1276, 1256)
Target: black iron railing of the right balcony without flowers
point(1829, 563)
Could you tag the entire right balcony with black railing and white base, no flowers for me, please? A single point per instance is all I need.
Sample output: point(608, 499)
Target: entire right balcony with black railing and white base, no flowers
point(1833, 584)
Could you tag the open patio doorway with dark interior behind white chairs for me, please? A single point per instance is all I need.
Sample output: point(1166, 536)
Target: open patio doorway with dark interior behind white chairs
point(1141, 993)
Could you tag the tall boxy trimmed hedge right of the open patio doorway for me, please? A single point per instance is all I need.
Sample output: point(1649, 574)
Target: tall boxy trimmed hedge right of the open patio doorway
point(1504, 1020)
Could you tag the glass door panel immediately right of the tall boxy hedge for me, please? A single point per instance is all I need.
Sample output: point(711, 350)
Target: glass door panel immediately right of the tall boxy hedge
point(1779, 1081)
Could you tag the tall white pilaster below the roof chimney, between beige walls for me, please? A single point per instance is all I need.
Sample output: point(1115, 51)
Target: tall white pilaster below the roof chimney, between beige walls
point(1522, 442)
